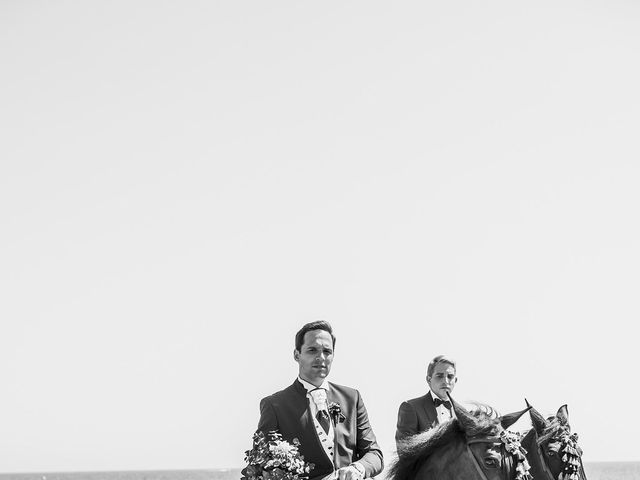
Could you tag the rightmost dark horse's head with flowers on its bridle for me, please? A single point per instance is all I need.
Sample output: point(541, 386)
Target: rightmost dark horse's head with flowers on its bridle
point(552, 450)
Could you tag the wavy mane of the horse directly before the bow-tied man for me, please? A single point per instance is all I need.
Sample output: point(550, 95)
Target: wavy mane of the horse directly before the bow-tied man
point(416, 449)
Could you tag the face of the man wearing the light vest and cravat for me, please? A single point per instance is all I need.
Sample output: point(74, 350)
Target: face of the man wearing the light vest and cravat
point(315, 357)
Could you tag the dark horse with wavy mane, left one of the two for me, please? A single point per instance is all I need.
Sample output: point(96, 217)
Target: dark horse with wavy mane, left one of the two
point(471, 446)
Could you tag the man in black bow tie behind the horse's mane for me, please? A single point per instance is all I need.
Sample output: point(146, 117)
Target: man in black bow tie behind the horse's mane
point(422, 413)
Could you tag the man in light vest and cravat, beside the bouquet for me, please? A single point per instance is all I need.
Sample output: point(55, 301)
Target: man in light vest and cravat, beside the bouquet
point(329, 420)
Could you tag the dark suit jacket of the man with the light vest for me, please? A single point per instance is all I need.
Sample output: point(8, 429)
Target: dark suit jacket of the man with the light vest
point(288, 412)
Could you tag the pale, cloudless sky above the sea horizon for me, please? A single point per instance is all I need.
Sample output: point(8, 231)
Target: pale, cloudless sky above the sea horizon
point(184, 184)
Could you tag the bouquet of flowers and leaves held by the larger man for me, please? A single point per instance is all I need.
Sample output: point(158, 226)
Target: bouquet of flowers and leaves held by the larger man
point(273, 458)
